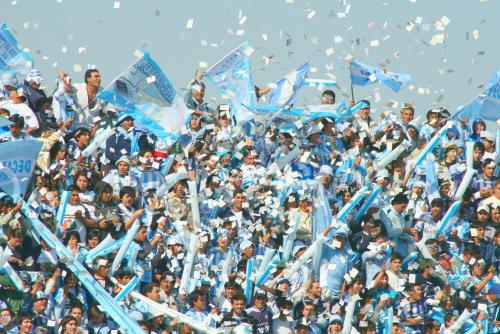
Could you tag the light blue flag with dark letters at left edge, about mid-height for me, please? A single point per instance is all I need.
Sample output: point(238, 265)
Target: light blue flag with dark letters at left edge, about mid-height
point(20, 157)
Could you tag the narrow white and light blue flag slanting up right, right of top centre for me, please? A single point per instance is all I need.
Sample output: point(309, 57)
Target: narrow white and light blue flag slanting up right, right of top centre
point(286, 91)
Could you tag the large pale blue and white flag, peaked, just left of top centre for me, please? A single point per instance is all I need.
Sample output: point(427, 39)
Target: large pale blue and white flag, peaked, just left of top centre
point(232, 77)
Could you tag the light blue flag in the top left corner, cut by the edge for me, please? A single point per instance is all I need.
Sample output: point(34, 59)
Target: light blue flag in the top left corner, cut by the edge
point(11, 57)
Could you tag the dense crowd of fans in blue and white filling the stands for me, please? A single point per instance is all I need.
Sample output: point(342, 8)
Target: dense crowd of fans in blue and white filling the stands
point(227, 227)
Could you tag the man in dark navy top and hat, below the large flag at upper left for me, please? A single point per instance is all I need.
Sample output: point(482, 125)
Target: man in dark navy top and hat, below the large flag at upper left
point(120, 142)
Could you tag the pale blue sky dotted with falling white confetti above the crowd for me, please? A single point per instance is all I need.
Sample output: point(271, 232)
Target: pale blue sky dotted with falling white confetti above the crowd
point(452, 71)
